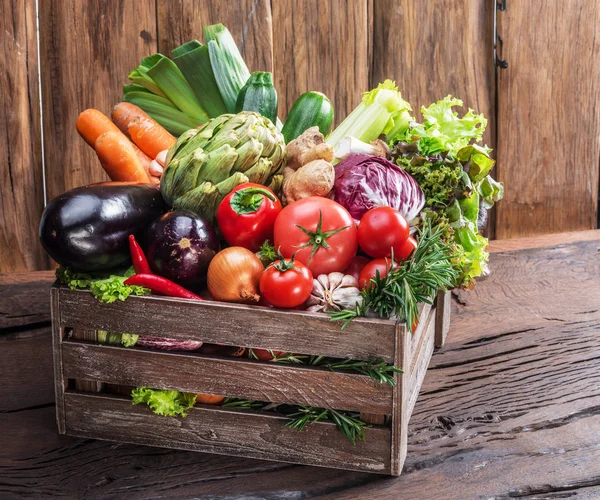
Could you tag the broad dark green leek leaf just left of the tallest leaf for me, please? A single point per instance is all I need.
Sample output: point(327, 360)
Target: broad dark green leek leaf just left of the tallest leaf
point(193, 60)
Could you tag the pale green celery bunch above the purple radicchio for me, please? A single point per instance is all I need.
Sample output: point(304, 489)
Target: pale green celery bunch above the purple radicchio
point(381, 111)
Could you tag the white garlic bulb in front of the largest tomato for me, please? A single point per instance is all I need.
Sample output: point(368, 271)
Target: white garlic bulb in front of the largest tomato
point(334, 292)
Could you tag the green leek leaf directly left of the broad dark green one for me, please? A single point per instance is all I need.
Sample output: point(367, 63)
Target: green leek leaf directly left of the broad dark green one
point(171, 81)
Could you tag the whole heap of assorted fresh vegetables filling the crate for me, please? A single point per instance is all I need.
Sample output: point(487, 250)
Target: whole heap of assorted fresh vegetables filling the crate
point(212, 197)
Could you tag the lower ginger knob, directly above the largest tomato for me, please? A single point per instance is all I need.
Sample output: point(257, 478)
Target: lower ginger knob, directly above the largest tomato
point(316, 178)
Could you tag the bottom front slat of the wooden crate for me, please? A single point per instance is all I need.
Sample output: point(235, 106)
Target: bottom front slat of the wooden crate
point(224, 432)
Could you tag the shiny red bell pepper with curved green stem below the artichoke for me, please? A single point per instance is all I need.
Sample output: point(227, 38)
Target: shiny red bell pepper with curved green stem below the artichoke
point(246, 216)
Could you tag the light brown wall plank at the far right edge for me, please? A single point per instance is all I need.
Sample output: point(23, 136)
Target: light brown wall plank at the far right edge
point(548, 104)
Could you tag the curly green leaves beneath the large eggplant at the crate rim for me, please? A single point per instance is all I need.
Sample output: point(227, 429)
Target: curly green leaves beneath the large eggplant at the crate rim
point(105, 288)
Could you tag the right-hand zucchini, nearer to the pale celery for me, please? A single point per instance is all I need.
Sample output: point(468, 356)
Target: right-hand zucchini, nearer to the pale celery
point(310, 109)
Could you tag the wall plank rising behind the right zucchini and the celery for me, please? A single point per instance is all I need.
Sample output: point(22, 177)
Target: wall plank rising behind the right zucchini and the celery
point(322, 46)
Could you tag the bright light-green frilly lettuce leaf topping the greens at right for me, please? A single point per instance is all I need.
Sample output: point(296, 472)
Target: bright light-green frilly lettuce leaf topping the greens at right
point(444, 131)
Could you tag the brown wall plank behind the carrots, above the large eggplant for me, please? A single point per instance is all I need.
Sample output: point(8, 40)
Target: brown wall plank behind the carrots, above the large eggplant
point(87, 51)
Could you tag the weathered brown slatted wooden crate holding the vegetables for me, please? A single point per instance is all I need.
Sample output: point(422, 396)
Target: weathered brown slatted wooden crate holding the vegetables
point(82, 367)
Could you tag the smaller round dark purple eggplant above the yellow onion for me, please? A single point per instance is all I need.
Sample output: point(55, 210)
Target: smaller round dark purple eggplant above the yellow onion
point(181, 246)
